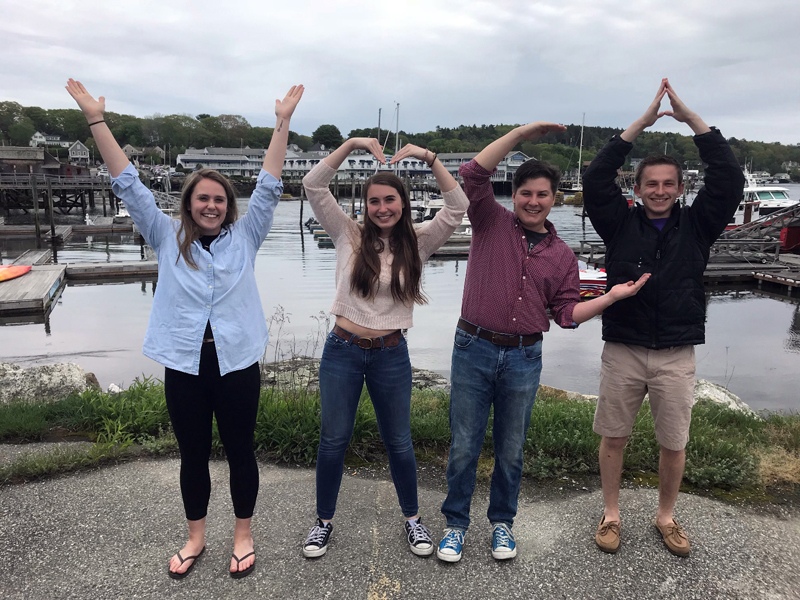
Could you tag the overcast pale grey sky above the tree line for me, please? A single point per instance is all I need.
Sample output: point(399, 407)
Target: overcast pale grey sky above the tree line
point(447, 62)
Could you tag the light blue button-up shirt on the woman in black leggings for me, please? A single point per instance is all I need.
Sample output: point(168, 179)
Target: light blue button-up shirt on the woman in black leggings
point(223, 291)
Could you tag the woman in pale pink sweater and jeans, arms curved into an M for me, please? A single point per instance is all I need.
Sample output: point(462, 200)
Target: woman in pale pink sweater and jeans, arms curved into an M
point(378, 282)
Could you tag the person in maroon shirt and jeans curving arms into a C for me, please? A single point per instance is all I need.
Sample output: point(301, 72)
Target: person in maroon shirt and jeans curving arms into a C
point(518, 268)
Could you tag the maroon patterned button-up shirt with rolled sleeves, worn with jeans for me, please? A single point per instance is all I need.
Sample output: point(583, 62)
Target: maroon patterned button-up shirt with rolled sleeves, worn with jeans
point(507, 288)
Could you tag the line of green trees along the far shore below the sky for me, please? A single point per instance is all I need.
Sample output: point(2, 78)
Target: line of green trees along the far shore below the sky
point(178, 132)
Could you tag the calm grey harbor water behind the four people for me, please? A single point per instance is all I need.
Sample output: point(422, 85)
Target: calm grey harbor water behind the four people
point(753, 337)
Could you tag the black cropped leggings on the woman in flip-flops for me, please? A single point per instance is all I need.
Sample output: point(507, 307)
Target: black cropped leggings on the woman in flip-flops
point(233, 399)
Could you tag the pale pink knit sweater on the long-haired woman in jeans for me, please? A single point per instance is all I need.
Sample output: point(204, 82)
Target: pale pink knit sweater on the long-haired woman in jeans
point(382, 311)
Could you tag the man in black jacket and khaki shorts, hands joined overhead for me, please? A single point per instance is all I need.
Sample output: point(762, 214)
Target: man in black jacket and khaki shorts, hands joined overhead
point(650, 337)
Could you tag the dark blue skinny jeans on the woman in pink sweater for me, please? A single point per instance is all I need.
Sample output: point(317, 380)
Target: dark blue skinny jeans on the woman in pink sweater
point(342, 372)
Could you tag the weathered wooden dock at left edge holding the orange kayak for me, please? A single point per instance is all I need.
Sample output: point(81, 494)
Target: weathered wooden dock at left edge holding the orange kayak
point(33, 292)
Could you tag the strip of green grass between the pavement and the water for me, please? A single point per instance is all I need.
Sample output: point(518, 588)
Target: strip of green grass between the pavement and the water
point(727, 450)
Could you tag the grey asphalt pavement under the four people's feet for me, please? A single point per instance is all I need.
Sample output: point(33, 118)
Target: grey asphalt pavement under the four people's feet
point(108, 533)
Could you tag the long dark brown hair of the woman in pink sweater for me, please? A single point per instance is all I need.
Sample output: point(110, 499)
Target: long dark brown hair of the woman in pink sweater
point(402, 244)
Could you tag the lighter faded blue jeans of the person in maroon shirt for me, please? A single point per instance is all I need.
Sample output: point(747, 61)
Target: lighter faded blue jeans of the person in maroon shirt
point(484, 374)
